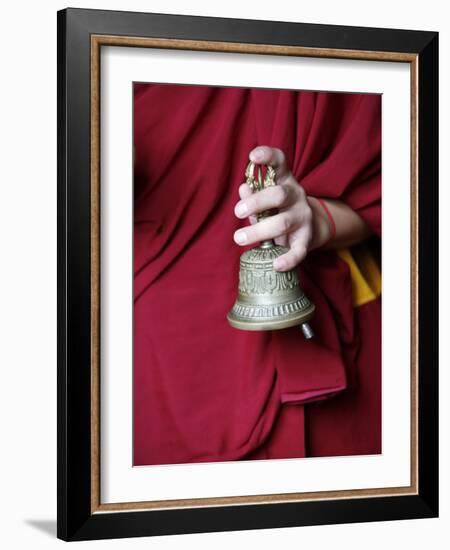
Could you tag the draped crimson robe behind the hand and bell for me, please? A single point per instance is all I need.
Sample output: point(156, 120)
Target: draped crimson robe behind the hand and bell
point(204, 391)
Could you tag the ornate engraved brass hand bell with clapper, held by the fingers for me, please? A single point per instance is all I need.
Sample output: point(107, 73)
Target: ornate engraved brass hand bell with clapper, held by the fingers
point(268, 299)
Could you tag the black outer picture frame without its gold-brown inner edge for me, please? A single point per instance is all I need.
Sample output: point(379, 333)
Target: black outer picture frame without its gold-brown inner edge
point(76, 518)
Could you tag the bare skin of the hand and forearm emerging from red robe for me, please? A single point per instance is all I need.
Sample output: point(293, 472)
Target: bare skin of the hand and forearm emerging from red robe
point(301, 222)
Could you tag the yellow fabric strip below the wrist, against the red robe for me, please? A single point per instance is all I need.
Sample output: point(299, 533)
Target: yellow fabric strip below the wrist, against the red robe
point(365, 273)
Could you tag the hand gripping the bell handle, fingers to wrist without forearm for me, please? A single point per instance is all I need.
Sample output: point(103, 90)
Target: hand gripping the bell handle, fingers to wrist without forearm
point(294, 225)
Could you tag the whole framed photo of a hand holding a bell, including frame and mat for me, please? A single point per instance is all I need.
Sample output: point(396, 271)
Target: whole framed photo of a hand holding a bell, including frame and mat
point(247, 271)
